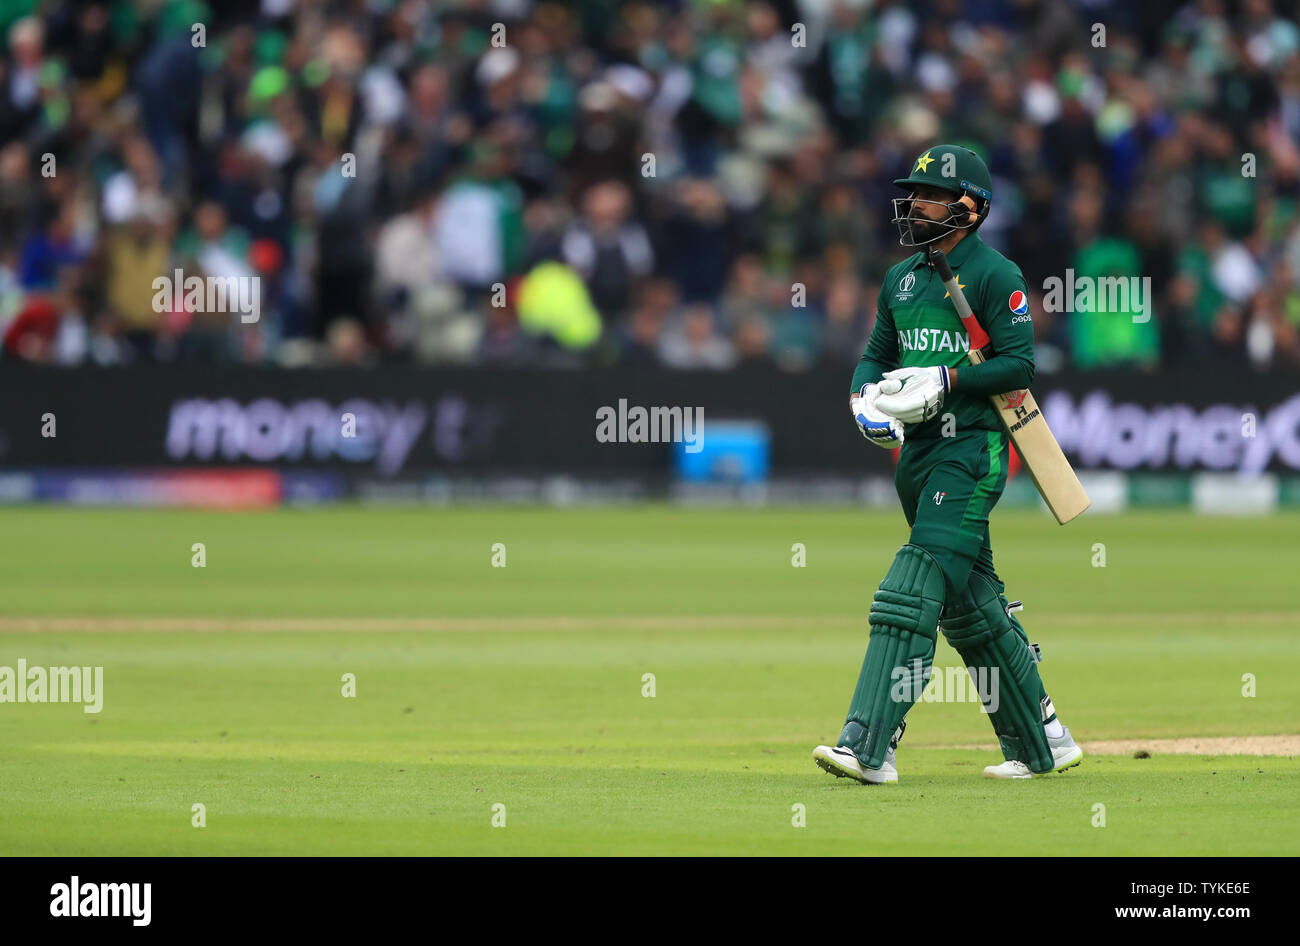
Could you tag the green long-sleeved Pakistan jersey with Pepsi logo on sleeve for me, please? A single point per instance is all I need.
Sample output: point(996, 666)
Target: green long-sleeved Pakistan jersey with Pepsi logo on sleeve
point(917, 326)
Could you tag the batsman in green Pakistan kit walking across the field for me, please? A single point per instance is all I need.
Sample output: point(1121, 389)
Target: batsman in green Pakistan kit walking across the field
point(916, 389)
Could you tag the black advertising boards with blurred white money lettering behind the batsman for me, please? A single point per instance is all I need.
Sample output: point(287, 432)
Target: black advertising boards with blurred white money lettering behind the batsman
point(409, 422)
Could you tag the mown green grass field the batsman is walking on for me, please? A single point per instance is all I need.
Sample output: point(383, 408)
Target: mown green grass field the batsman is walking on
point(523, 685)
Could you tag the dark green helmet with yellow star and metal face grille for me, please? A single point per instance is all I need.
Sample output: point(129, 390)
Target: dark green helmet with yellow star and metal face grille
point(955, 170)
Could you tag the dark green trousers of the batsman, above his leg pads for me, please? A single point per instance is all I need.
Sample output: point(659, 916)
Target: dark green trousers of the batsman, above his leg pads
point(948, 487)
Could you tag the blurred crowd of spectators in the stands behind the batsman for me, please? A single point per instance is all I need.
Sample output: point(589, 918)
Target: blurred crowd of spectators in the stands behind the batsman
point(692, 184)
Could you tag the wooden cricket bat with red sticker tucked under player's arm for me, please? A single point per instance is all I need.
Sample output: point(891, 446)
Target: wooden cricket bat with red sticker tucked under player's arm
point(1039, 450)
